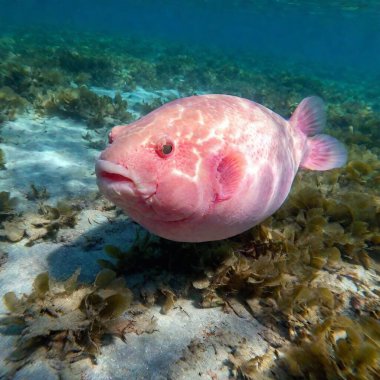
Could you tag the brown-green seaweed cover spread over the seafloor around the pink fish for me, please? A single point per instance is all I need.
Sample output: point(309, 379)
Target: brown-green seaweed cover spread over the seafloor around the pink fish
point(309, 274)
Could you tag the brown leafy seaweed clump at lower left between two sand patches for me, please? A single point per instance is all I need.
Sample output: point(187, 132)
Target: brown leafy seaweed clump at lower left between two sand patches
point(67, 320)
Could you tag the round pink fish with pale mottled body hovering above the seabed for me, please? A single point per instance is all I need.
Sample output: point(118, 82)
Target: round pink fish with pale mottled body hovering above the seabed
point(212, 166)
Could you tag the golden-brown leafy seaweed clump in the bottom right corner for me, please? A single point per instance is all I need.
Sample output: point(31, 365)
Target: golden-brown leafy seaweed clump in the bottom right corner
point(337, 348)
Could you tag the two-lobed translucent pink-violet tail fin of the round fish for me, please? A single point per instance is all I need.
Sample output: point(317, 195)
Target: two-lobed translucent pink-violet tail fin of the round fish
point(323, 152)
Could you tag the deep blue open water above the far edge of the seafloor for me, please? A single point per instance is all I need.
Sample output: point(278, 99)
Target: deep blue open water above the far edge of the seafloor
point(340, 34)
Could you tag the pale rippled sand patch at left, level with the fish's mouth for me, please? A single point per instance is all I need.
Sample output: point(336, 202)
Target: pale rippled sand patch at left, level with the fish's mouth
point(50, 153)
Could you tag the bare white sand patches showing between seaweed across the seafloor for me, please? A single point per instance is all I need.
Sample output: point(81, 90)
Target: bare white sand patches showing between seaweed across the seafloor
point(51, 153)
